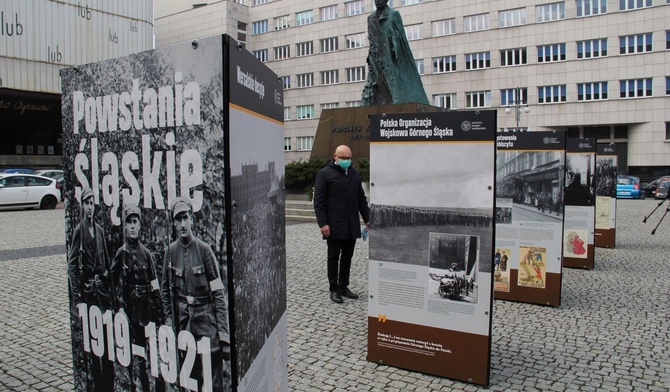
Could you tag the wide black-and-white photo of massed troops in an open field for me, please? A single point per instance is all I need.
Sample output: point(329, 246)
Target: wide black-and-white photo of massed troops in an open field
point(410, 203)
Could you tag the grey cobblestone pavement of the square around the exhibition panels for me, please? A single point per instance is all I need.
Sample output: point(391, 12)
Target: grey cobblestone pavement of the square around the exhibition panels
point(611, 332)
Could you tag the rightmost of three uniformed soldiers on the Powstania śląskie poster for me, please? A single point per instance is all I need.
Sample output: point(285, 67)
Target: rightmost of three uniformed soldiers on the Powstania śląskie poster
point(193, 295)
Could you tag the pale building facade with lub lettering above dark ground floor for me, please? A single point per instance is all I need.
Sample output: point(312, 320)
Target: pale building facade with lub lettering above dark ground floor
point(38, 38)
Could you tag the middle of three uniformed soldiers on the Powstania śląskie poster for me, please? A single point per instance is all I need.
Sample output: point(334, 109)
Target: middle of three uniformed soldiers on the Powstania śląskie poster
point(134, 276)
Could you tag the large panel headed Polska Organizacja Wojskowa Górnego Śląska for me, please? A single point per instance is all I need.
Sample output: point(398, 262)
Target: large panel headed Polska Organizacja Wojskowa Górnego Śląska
point(431, 254)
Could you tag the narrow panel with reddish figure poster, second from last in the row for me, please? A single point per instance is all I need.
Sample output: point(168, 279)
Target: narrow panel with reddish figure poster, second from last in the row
point(580, 202)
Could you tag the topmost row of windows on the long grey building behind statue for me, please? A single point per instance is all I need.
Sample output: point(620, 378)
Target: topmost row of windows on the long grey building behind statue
point(506, 18)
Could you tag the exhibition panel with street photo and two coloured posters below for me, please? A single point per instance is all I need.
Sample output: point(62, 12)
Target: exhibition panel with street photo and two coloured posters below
point(529, 216)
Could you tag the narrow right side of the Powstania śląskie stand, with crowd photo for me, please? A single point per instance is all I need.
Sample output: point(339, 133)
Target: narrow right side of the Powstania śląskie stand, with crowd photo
point(258, 233)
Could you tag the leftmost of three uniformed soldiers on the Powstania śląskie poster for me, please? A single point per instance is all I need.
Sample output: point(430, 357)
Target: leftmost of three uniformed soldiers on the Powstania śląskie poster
point(90, 283)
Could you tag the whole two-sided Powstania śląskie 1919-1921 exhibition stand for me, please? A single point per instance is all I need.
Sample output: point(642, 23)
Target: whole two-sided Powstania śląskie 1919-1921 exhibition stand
point(174, 210)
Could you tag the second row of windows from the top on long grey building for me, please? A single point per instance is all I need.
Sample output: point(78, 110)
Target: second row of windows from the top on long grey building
point(628, 44)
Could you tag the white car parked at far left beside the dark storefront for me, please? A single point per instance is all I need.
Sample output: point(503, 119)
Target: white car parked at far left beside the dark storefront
point(28, 191)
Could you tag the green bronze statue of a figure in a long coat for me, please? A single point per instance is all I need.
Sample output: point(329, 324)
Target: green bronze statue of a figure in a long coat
point(392, 73)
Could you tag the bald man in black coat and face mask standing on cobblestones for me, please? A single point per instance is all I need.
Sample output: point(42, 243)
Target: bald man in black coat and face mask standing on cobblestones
point(338, 199)
